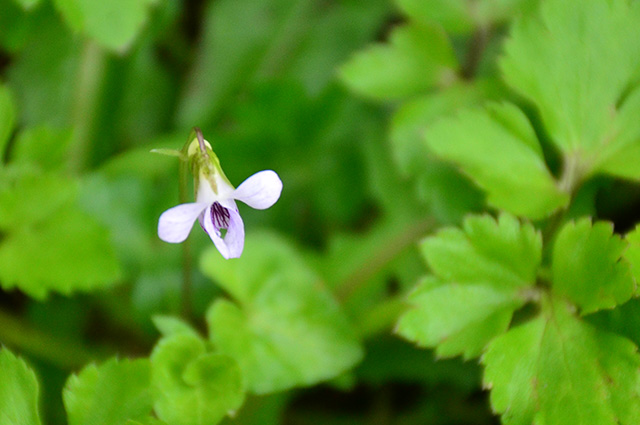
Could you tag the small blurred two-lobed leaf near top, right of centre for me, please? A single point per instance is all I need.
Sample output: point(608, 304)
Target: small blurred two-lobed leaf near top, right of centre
point(417, 58)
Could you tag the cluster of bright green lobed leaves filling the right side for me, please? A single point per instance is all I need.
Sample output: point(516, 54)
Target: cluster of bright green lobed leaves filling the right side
point(549, 363)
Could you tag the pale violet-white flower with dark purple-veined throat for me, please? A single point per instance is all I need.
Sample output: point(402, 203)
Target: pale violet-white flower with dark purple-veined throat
point(215, 205)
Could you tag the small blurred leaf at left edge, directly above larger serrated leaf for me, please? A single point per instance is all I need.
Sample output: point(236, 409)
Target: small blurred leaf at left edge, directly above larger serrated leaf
point(28, 196)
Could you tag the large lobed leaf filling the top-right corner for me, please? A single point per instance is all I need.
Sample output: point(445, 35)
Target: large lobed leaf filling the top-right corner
point(563, 62)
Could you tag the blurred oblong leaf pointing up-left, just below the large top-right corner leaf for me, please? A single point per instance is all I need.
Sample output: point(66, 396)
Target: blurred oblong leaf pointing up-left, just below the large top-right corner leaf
point(498, 149)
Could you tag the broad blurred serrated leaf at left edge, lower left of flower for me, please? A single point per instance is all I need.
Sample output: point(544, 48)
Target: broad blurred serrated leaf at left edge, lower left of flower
point(66, 253)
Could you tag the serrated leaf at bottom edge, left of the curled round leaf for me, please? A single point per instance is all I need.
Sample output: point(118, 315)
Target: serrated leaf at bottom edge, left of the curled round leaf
point(109, 394)
